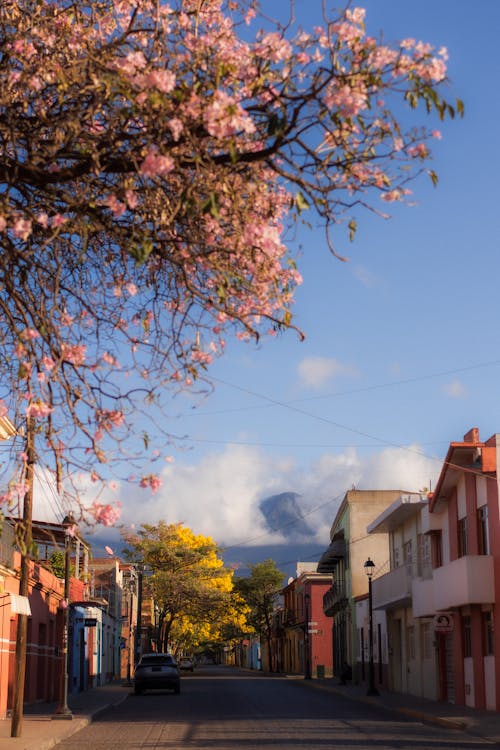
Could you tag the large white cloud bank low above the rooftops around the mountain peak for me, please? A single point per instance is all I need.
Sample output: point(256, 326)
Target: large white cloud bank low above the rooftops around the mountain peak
point(220, 495)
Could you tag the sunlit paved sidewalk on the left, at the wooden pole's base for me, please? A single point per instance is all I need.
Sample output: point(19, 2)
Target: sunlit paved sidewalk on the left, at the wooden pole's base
point(41, 732)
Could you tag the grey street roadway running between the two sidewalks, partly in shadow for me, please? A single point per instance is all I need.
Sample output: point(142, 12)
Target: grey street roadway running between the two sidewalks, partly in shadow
point(222, 709)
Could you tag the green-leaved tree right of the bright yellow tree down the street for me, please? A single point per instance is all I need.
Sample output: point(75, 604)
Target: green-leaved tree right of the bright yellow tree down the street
point(260, 590)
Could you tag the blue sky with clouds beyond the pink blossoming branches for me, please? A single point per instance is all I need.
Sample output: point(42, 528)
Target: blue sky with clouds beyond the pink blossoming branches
point(402, 348)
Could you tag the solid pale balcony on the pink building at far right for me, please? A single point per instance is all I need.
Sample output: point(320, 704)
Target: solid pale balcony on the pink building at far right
point(468, 580)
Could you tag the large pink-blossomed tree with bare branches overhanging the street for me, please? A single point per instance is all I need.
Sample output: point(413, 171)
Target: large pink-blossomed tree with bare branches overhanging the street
point(152, 156)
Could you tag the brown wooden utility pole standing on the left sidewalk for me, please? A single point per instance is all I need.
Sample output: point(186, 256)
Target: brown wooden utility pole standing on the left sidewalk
point(22, 620)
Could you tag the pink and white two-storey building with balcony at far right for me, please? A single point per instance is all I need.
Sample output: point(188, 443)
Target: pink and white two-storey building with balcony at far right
point(463, 593)
